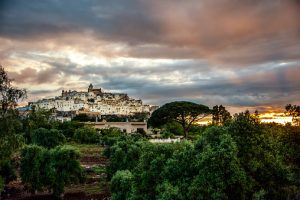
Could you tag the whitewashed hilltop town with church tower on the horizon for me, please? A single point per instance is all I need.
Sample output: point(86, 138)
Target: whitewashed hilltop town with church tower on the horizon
point(95, 101)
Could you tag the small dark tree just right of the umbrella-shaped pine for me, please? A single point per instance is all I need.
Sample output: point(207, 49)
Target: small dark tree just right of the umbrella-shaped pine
point(220, 115)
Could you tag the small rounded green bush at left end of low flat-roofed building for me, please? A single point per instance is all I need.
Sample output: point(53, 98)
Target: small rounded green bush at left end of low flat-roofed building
point(86, 134)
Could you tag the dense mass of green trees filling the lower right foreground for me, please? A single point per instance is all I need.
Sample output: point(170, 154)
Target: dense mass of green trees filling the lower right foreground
point(240, 159)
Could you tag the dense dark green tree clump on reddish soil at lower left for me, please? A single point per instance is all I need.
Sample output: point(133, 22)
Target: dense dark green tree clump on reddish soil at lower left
point(50, 169)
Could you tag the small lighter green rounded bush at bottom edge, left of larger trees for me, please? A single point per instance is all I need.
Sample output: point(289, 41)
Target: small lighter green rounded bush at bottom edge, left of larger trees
point(121, 184)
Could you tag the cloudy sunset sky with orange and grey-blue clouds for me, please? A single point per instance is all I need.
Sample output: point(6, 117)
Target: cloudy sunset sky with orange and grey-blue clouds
point(241, 54)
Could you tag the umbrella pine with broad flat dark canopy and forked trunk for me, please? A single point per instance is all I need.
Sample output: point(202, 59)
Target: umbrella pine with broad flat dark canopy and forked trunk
point(183, 112)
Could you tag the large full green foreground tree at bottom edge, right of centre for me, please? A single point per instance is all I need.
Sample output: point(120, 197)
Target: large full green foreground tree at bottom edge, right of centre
point(220, 175)
